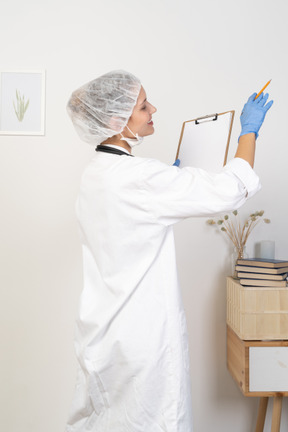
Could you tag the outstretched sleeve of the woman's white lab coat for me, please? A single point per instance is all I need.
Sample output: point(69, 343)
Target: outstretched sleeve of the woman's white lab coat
point(173, 193)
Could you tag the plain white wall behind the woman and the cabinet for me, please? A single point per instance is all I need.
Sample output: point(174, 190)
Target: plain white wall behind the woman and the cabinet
point(194, 58)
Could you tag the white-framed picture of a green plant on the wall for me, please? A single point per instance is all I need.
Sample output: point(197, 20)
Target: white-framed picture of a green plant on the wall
point(22, 103)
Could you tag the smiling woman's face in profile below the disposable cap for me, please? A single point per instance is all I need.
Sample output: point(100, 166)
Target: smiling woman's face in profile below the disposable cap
point(141, 119)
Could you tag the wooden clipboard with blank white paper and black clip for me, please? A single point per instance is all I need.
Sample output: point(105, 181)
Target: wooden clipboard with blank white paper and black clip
point(204, 141)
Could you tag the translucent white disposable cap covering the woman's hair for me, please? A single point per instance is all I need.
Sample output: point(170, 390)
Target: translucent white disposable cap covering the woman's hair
point(102, 107)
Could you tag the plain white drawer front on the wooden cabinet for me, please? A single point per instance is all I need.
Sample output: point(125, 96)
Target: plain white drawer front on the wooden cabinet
point(268, 369)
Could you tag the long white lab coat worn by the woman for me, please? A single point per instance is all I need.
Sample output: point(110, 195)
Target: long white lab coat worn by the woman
point(131, 338)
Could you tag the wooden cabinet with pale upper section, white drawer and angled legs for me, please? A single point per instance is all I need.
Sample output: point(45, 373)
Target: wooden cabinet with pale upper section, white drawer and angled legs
point(257, 345)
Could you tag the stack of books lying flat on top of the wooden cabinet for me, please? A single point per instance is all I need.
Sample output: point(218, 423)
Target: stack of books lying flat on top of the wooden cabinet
point(262, 272)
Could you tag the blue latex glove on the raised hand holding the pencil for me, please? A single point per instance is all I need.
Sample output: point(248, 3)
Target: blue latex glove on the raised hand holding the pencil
point(253, 114)
